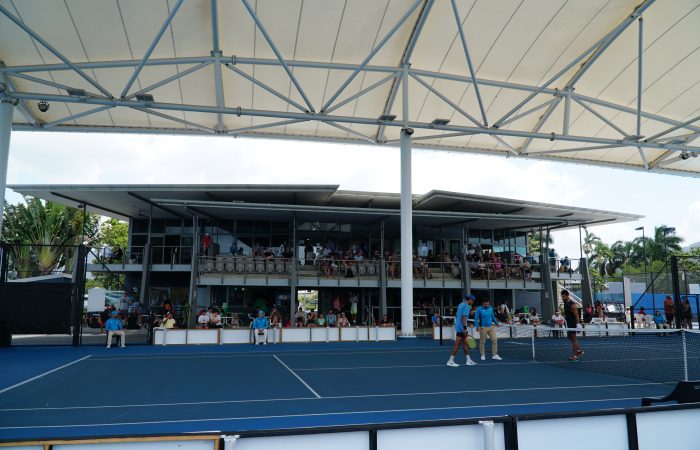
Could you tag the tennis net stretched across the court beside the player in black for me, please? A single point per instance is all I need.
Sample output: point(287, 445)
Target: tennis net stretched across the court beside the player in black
point(661, 355)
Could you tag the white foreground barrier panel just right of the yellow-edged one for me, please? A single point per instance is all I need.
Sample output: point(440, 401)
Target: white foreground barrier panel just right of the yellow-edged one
point(337, 441)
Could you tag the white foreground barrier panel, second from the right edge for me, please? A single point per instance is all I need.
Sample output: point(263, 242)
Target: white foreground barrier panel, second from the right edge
point(557, 434)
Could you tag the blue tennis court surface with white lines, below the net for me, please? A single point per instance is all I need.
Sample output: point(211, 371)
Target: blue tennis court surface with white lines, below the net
point(150, 390)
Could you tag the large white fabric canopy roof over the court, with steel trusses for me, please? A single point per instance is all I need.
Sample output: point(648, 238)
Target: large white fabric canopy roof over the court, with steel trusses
point(328, 69)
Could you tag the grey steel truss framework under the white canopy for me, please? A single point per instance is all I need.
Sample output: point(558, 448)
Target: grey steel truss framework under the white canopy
point(546, 97)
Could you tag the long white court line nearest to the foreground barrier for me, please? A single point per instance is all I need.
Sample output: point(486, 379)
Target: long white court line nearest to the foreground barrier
point(348, 413)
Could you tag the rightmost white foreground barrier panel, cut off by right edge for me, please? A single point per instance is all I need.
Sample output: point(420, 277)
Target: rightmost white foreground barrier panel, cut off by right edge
point(676, 430)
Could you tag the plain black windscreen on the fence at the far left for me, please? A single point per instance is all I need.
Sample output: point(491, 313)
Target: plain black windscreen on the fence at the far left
point(35, 308)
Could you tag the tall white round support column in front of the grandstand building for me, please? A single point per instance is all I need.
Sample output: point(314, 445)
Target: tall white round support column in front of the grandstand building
point(406, 236)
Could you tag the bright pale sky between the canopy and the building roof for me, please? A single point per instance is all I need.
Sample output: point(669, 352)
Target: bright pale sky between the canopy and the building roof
point(81, 158)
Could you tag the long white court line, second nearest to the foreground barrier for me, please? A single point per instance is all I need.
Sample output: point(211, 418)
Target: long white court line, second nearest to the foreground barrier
point(340, 397)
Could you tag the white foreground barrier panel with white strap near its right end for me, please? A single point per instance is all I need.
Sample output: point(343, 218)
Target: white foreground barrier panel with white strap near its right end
point(456, 437)
